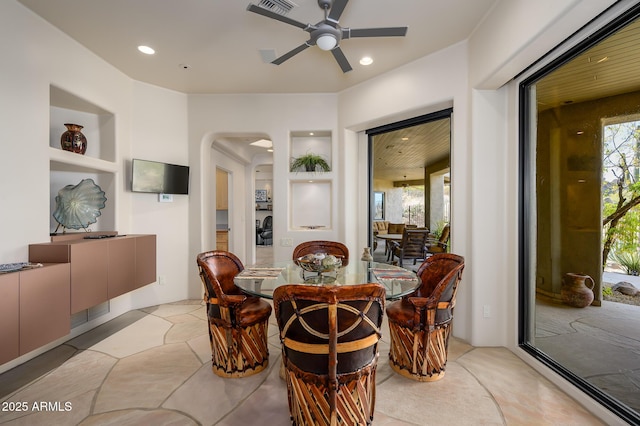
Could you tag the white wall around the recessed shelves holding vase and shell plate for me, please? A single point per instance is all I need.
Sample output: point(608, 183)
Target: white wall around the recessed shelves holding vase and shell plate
point(36, 55)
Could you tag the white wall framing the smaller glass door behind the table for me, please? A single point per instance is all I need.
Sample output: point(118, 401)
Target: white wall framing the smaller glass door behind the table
point(429, 84)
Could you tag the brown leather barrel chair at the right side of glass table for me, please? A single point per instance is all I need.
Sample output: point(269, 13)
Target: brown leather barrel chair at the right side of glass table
point(420, 323)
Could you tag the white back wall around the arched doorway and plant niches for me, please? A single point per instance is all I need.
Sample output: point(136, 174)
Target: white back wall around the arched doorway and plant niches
point(273, 115)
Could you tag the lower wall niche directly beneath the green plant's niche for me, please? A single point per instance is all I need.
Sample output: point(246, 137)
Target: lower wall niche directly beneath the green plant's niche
point(311, 204)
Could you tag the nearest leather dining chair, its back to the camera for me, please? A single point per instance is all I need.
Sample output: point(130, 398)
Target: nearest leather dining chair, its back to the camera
point(329, 338)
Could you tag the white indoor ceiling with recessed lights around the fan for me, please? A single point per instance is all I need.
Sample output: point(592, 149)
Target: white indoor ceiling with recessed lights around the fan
point(220, 40)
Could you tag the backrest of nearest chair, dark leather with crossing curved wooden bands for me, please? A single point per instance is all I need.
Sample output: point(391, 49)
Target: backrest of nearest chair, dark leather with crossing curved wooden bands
point(330, 330)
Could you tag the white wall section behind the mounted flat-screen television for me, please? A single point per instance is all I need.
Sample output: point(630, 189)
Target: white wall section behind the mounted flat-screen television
point(159, 133)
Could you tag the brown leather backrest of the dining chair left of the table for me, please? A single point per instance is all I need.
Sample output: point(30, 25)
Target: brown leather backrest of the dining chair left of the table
point(218, 268)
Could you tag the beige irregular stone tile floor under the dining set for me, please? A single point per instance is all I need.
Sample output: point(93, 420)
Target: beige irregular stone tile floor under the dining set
point(152, 366)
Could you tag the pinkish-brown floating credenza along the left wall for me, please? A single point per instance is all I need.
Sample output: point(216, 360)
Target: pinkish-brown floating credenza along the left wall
point(36, 304)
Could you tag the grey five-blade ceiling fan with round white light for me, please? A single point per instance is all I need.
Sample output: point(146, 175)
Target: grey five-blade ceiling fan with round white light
point(327, 34)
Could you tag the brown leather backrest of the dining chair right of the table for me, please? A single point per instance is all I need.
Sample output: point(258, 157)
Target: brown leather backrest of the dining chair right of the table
point(440, 275)
